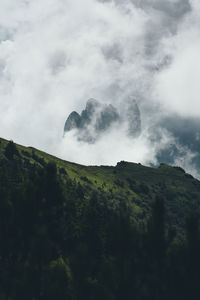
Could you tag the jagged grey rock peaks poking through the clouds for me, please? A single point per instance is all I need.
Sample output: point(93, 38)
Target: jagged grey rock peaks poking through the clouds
point(96, 118)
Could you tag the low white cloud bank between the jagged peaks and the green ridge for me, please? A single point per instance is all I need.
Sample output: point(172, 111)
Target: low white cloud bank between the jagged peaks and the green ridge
point(110, 149)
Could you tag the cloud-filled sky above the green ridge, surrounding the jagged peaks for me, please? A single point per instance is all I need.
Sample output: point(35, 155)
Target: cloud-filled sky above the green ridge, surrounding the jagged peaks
point(56, 54)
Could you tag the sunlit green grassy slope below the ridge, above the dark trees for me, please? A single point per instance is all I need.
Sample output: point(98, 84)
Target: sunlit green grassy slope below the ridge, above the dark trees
point(135, 183)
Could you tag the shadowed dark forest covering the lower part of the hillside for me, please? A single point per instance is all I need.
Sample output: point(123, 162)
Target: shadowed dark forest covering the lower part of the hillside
point(60, 240)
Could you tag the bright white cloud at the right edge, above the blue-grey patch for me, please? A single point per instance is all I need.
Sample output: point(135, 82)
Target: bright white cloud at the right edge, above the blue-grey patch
point(177, 87)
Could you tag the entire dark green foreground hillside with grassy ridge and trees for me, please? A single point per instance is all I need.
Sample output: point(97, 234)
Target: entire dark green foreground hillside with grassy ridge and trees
point(69, 231)
